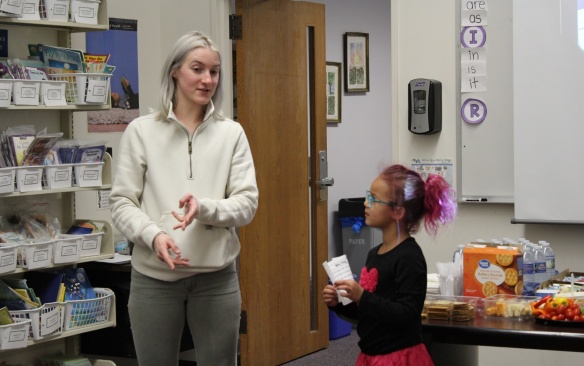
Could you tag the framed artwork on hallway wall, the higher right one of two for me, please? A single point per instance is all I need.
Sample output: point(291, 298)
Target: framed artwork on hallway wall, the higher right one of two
point(356, 49)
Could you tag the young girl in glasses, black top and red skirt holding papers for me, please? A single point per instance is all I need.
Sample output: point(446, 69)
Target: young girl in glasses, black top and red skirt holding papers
point(388, 300)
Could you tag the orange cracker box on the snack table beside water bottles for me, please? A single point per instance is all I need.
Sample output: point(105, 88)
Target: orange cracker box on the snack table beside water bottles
point(490, 270)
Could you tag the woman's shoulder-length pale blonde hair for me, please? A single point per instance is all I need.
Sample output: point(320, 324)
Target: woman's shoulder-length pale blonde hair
point(183, 46)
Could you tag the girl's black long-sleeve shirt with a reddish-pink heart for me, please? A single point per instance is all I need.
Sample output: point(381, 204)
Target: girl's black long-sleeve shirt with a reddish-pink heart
point(389, 313)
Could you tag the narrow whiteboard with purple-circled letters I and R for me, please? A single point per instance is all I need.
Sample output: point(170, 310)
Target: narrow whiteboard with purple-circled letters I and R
point(485, 167)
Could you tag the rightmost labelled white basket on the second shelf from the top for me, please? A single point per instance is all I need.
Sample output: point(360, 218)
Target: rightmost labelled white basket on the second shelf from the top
point(85, 88)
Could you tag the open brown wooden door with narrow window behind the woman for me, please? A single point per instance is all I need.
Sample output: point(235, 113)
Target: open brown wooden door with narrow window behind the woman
point(280, 76)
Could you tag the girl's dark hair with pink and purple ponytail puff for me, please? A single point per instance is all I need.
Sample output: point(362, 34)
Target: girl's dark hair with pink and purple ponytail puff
point(434, 200)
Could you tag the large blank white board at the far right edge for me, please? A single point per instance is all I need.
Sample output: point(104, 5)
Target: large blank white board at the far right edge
point(548, 65)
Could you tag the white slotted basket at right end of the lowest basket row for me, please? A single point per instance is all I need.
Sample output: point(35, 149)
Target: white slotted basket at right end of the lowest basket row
point(81, 313)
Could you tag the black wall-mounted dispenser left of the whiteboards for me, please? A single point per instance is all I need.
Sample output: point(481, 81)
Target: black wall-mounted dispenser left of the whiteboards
point(425, 106)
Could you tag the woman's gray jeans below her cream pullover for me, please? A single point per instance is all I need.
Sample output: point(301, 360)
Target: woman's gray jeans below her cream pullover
point(211, 304)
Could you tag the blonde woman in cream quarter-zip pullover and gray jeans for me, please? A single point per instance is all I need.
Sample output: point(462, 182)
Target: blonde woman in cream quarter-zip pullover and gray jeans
point(186, 154)
